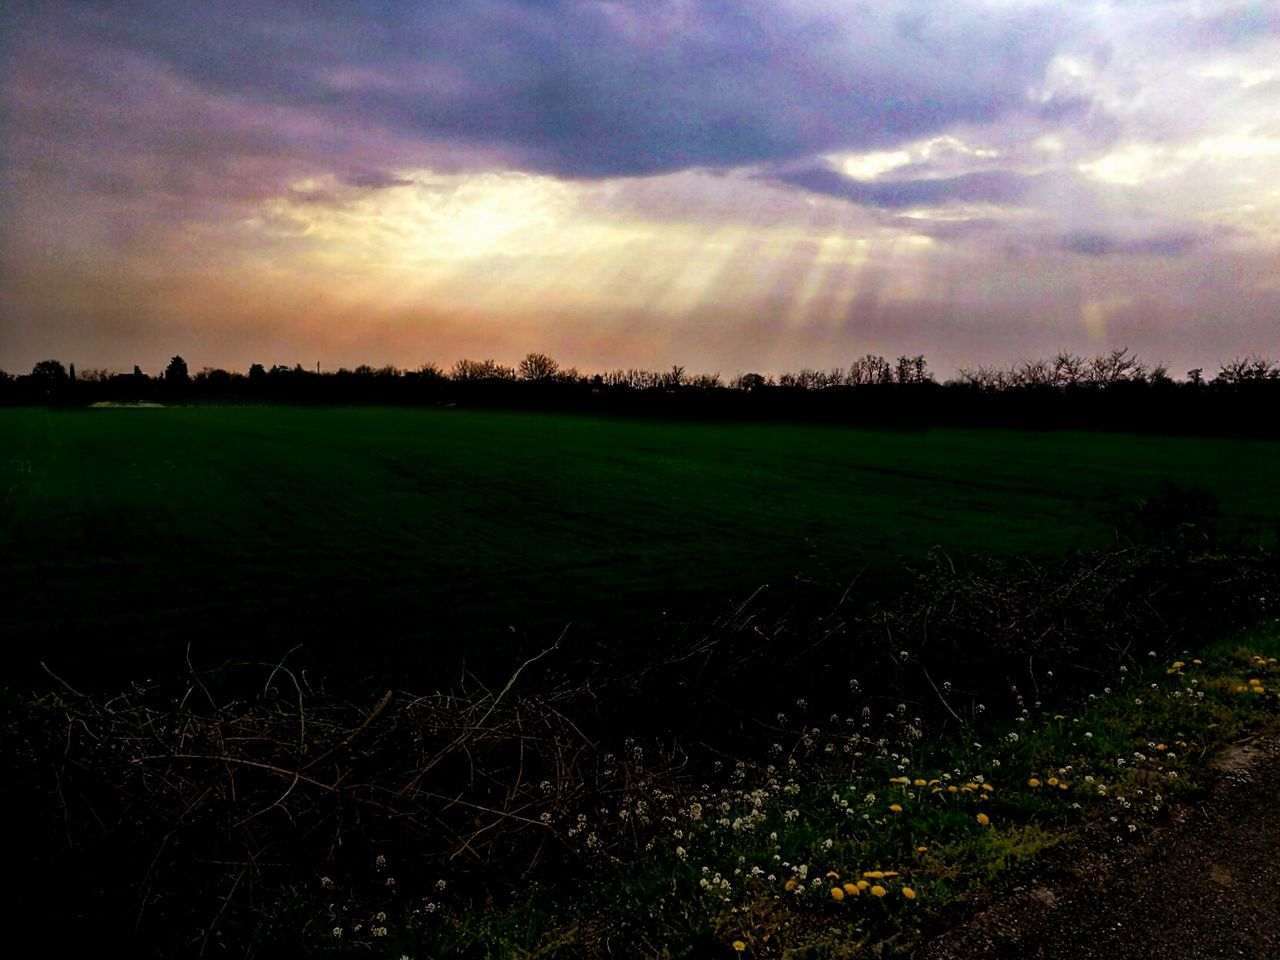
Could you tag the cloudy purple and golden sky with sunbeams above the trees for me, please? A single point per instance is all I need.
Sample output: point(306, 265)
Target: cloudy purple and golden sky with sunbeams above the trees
point(726, 185)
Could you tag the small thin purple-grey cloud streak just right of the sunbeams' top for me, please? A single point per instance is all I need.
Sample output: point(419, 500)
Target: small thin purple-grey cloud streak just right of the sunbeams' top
point(999, 188)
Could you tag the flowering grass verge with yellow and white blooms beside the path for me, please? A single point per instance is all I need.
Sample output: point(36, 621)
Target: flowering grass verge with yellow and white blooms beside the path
point(852, 843)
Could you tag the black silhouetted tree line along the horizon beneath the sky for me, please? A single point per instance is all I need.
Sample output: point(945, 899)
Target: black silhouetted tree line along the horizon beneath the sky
point(1110, 391)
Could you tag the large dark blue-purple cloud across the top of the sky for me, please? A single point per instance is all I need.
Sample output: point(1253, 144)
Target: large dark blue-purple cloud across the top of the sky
point(601, 89)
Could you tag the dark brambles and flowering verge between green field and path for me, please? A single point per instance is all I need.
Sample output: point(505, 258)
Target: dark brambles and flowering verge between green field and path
point(753, 784)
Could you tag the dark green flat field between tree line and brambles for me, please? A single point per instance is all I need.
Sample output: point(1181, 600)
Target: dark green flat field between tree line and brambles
point(127, 533)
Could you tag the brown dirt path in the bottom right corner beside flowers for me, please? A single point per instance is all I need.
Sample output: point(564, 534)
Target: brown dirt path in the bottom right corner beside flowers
point(1203, 889)
